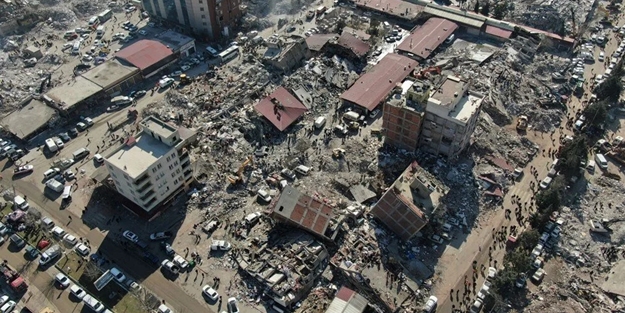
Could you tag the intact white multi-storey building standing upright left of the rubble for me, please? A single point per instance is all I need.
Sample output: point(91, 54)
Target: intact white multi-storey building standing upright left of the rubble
point(152, 166)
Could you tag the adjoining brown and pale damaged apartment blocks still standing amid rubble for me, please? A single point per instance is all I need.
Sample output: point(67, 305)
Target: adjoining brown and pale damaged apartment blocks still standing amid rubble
point(438, 117)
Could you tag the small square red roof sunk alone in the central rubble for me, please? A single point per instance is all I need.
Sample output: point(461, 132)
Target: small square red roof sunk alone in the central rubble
point(281, 108)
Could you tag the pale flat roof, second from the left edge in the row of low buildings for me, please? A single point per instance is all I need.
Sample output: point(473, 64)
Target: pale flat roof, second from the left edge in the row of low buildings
point(73, 92)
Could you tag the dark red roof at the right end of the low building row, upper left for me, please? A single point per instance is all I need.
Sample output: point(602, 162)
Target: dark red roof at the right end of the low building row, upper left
point(144, 53)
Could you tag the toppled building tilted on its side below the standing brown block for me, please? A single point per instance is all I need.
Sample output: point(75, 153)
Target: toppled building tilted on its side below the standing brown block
point(411, 202)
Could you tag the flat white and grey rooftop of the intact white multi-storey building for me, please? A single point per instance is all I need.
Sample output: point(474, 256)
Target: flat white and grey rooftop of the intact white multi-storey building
point(137, 158)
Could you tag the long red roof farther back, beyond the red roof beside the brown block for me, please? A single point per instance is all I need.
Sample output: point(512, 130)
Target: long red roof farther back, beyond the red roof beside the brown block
point(425, 39)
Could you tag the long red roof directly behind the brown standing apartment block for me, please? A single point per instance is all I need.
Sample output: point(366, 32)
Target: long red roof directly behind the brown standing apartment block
point(373, 87)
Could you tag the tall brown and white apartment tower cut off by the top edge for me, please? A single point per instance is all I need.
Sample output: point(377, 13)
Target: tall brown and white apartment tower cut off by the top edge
point(212, 18)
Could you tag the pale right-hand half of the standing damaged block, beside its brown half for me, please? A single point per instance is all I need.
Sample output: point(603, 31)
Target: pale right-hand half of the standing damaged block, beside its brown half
point(450, 118)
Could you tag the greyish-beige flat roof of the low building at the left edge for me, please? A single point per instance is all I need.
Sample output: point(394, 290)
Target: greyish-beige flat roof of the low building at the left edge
point(26, 120)
